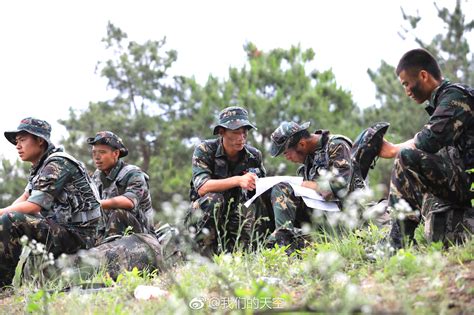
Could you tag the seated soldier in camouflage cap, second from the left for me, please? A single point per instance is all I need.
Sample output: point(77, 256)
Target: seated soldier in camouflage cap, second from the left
point(123, 188)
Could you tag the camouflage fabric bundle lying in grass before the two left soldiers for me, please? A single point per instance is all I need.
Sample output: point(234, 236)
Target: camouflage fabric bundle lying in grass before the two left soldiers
point(142, 251)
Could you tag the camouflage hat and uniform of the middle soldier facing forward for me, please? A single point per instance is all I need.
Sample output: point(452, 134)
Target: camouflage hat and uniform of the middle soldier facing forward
point(219, 219)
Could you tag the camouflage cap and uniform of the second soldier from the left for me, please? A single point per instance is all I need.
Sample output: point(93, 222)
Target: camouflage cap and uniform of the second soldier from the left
point(123, 180)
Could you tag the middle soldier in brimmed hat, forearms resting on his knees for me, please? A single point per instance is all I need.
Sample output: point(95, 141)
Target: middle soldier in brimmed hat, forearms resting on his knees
point(224, 174)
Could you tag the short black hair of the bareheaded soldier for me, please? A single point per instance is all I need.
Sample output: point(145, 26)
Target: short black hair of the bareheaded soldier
point(419, 59)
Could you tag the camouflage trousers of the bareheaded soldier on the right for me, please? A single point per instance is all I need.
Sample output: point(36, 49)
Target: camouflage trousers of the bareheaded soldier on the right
point(417, 174)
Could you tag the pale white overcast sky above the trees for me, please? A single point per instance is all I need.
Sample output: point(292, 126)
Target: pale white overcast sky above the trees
point(50, 49)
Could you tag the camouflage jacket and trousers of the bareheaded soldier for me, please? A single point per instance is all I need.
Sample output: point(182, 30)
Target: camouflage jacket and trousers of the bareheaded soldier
point(437, 166)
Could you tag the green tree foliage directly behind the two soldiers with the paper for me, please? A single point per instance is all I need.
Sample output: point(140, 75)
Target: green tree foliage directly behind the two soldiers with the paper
point(279, 85)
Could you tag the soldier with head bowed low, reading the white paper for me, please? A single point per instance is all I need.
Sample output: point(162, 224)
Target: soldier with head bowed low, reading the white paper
point(316, 151)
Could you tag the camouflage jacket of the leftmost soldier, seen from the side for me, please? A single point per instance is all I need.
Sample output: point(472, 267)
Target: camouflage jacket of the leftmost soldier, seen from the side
point(63, 189)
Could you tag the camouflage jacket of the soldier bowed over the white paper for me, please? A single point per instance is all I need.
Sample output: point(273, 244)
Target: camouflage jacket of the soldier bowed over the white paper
point(333, 153)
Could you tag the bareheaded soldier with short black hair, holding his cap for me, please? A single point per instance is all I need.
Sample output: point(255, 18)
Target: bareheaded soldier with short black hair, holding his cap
point(436, 160)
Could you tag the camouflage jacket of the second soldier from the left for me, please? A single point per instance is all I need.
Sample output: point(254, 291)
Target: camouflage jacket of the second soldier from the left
point(128, 181)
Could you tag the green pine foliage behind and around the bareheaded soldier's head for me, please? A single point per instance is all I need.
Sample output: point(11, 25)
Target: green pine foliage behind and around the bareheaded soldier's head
point(450, 47)
